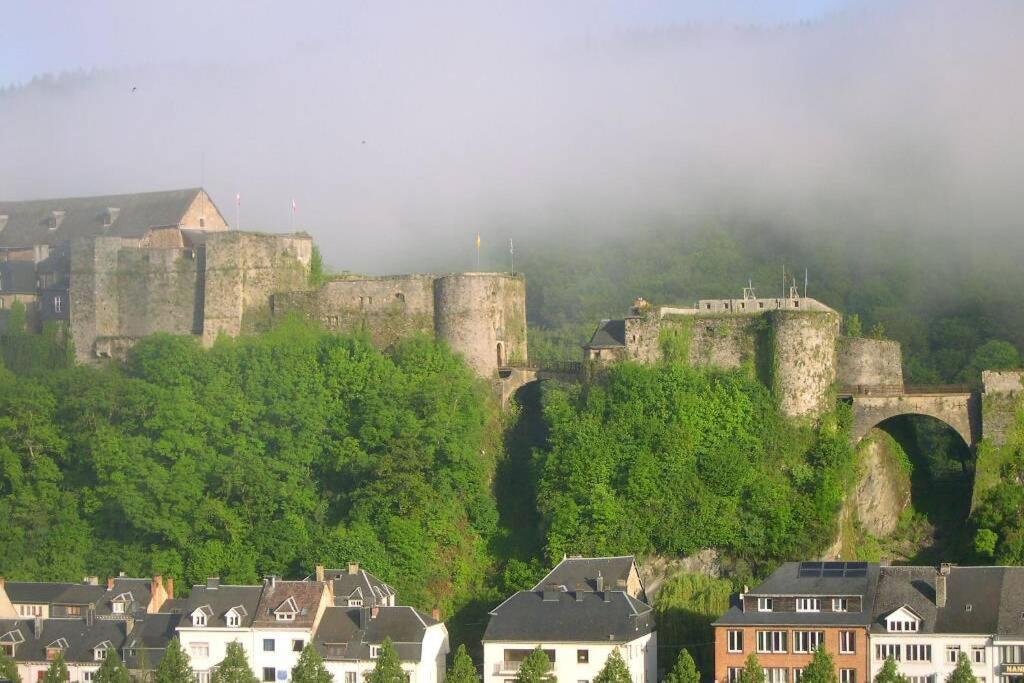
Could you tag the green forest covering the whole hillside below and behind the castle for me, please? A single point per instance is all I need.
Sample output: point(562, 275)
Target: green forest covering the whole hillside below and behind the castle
point(270, 454)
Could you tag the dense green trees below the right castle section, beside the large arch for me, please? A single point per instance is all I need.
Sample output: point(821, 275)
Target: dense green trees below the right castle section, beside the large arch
point(671, 460)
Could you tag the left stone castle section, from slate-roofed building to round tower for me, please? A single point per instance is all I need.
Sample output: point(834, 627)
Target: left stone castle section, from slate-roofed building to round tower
point(119, 268)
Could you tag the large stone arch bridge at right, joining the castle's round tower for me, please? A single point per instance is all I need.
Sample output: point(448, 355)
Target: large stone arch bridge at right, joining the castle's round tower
point(956, 406)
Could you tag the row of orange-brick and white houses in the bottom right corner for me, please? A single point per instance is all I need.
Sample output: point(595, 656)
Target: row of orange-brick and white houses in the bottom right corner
point(863, 614)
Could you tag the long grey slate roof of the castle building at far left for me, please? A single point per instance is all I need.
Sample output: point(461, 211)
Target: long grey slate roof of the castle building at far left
point(28, 222)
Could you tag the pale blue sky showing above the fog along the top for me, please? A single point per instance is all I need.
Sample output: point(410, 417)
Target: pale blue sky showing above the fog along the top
point(53, 36)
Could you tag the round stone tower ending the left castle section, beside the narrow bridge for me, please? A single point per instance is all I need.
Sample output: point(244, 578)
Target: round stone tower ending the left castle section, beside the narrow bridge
point(483, 316)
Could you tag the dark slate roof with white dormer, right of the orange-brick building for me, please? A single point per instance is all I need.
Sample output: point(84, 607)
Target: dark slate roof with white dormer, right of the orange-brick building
point(995, 594)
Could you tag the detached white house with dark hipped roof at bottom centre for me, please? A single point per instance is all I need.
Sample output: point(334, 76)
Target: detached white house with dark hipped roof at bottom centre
point(578, 627)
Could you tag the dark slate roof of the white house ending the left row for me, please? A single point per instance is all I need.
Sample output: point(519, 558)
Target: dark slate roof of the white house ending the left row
point(340, 635)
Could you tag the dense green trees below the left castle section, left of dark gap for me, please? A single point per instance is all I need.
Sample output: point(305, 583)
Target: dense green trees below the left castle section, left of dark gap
point(264, 455)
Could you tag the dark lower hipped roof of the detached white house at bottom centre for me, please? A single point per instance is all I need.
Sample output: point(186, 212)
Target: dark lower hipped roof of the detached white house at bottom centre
point(610, 617)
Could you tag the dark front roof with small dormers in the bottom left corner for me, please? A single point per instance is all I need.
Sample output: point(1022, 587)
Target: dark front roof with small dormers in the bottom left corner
point(80, 637)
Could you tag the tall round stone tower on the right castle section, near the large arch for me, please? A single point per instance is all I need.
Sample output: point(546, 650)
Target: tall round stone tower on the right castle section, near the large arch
point(805, 361)
